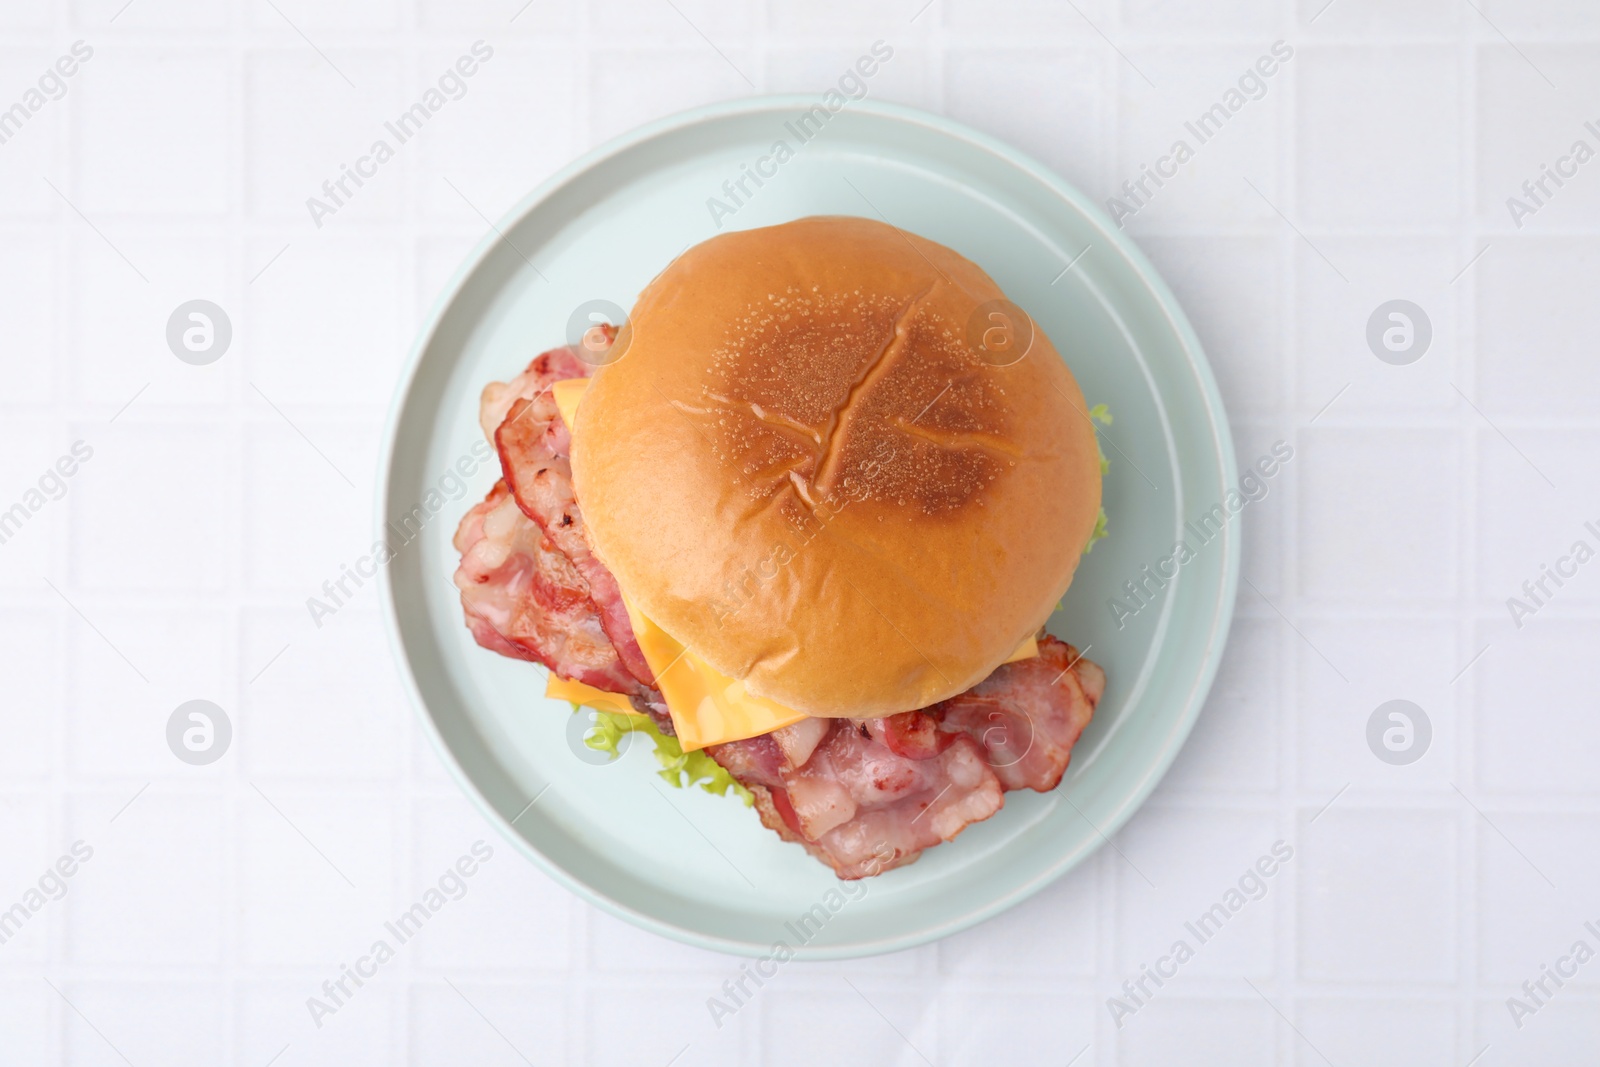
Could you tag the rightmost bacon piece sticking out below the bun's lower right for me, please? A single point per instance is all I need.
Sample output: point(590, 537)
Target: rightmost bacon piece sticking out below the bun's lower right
point(1030, 714)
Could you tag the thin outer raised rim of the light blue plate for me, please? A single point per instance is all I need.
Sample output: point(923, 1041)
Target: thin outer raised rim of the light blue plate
point(1220, 623)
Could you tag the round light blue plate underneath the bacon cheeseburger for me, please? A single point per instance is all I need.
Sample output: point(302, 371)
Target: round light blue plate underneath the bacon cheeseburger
point(702, 868)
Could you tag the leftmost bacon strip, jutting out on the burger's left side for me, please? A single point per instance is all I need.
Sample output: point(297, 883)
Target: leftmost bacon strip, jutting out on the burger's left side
point(524, 599)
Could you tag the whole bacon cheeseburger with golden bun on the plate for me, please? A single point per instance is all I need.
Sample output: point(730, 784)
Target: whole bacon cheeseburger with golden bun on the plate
point(802, 518)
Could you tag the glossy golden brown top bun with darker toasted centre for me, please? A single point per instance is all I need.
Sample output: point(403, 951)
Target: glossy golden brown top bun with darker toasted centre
point(804, 473)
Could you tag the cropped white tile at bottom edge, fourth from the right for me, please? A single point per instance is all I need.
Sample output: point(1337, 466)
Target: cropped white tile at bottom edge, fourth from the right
point(1004, 1028)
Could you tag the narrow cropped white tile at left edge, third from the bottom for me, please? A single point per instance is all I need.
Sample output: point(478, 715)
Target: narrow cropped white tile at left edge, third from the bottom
point(36, 692)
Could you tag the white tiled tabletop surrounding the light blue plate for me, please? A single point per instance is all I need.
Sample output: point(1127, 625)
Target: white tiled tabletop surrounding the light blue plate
point(177, 565)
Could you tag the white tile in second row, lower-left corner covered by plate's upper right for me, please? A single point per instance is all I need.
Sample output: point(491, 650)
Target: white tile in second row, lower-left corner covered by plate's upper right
point(1049, 105)
